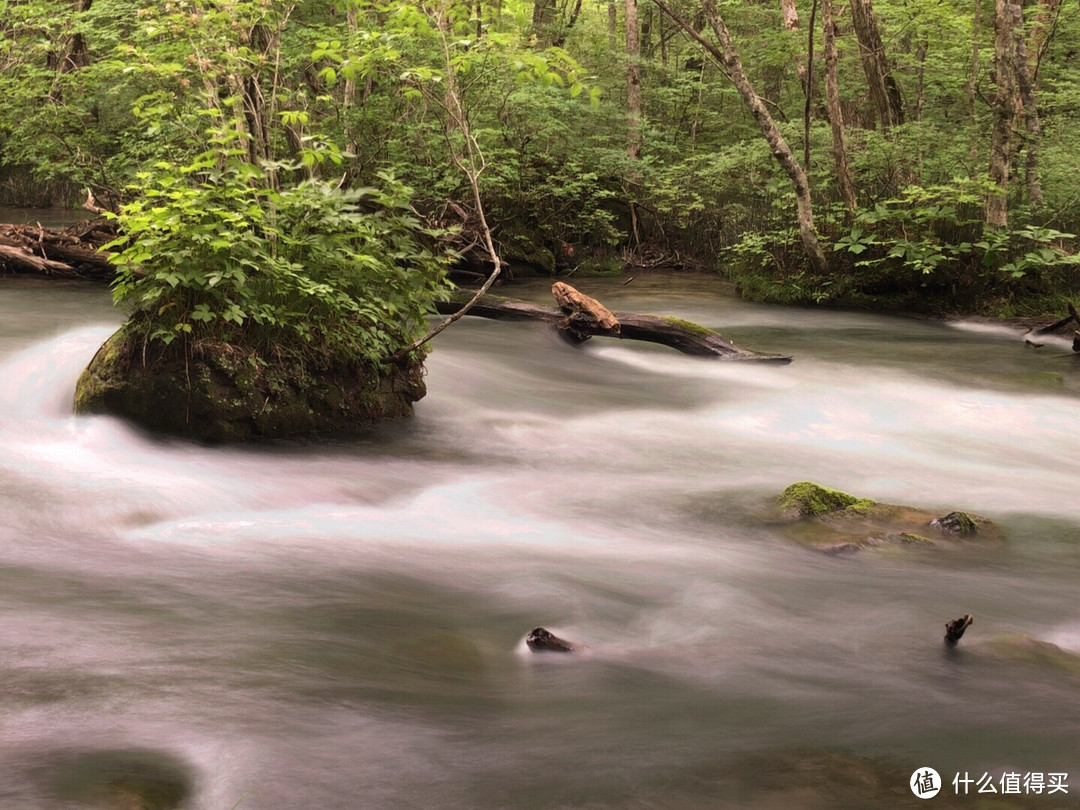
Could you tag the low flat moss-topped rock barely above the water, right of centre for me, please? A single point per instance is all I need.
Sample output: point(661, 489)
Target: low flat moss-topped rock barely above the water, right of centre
point(835, 522)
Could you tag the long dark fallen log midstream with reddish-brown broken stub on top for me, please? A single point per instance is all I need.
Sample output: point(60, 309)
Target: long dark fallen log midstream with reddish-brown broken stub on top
point(685, 336)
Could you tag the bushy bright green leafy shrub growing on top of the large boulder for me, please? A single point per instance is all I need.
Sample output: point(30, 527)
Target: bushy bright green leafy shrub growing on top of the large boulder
point(214, 254)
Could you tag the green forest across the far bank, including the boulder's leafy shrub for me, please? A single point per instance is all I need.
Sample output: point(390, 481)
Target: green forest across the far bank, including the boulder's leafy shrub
point(266, 159)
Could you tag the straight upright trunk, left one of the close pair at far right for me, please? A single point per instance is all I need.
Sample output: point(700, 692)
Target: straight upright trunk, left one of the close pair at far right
point(1004, 107)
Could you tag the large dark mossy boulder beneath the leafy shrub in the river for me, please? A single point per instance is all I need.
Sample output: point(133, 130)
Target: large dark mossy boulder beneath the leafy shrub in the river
point(221, 394)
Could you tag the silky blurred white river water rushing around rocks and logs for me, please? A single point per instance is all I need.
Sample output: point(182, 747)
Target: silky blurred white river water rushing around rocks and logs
point(341, 625)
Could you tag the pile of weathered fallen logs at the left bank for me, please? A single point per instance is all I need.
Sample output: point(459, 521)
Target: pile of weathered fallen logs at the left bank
point(74, 253)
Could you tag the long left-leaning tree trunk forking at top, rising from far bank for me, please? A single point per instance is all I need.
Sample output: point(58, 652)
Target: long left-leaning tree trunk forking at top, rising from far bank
point(727, 57)
